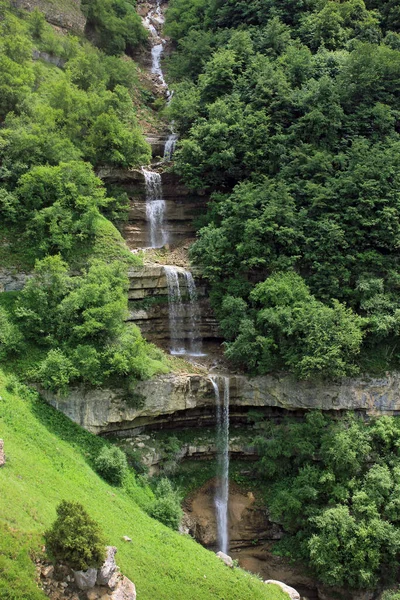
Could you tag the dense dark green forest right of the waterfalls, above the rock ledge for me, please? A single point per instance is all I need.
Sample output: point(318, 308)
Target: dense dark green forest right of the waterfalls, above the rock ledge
point(289, 114)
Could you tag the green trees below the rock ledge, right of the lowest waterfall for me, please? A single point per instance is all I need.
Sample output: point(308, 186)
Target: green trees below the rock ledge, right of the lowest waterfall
point(333, 485)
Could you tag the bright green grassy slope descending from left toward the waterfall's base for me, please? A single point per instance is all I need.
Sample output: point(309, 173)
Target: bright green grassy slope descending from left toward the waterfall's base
point(47, 460)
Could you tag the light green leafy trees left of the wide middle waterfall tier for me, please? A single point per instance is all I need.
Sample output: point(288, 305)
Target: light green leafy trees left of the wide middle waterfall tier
point(81, 319)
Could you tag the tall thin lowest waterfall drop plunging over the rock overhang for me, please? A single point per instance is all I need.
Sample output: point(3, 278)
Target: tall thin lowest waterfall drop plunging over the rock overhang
point(222, 489)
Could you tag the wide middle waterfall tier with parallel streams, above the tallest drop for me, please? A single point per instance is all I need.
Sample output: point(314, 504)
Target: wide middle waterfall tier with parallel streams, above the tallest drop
point(184, 317)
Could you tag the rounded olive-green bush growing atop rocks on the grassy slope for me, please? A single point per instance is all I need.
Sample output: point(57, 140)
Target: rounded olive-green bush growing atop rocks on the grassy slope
point(75, 538)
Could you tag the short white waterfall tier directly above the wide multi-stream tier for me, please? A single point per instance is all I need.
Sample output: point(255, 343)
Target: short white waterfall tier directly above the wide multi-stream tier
point(155, 209)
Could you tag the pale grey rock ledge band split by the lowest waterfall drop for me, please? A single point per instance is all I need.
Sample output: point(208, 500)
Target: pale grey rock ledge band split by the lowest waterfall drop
point(182, 400)
